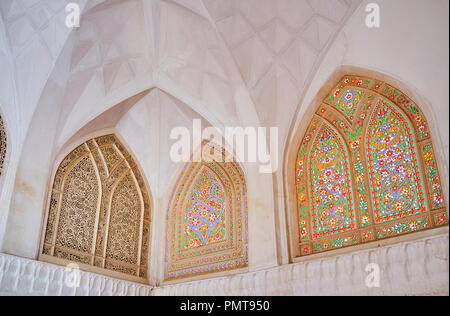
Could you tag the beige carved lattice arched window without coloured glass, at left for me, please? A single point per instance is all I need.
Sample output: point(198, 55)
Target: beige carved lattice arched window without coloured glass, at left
point(99, 212)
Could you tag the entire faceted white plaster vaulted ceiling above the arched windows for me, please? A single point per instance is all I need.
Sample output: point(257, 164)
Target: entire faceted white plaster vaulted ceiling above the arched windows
point(235, 62)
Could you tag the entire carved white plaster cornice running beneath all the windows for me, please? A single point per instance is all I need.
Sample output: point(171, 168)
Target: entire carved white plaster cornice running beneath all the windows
point(417, 267)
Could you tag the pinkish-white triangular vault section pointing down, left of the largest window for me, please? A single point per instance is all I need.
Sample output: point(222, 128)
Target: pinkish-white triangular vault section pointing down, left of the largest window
point(276, 45)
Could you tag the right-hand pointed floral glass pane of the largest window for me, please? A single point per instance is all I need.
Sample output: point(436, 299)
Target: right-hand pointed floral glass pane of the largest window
point(396, 183)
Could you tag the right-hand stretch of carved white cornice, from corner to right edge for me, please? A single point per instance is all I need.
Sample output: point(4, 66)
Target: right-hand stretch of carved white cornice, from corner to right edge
point(412, 268)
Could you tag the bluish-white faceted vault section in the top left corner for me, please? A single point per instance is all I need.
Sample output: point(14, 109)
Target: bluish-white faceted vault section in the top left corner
point(32, 35)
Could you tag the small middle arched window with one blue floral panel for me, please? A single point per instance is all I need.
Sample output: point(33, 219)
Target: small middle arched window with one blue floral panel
point(207, 218)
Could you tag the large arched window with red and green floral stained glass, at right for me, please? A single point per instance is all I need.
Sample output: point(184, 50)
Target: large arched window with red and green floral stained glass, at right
point(366, 169)
